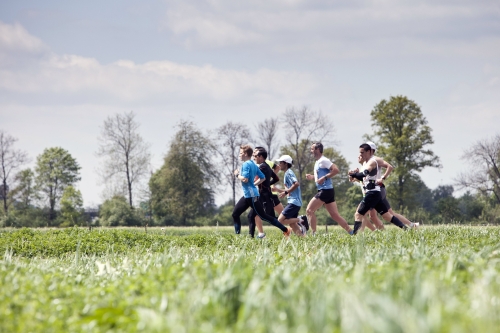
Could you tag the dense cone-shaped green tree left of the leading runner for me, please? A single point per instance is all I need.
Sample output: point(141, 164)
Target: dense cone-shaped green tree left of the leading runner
point(181, 189)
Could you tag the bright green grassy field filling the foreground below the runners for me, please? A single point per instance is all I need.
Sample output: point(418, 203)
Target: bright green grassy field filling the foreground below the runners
point(436, 279)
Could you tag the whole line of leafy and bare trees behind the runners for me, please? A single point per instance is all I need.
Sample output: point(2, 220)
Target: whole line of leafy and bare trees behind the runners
point(199, 165)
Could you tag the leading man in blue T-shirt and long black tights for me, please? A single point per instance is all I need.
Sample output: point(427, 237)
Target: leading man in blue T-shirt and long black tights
point(250, 197)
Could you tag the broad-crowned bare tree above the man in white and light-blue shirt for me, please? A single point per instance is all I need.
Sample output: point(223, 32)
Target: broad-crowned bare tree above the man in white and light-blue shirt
point(303, 127)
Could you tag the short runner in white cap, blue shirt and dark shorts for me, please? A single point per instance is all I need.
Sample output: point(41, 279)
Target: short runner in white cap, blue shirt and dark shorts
point(291, 190)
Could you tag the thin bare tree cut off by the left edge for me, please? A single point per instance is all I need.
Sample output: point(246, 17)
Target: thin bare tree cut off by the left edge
point(10, 160)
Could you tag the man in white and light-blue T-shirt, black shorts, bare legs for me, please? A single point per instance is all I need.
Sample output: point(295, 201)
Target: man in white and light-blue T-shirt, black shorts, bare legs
point(324, 170)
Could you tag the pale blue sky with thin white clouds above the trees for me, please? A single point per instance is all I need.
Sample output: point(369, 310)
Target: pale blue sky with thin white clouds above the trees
point(66, 66)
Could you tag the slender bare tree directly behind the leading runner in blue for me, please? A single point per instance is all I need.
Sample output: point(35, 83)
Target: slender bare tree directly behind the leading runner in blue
point(229, 138)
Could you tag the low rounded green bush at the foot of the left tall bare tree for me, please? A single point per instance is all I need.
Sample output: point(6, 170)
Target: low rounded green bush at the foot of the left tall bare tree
point(117, 212)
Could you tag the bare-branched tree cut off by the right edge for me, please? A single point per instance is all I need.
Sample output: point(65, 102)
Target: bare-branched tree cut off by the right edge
point(484, 174)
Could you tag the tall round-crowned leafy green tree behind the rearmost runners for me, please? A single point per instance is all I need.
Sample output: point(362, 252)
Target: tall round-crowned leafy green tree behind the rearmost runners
point(403, 135)
